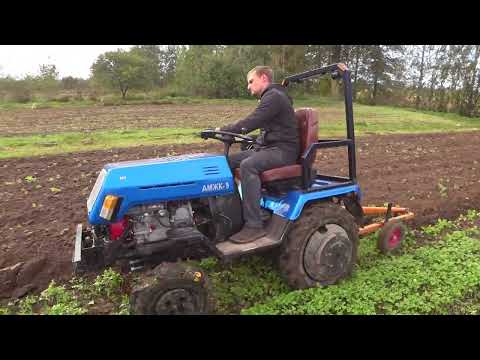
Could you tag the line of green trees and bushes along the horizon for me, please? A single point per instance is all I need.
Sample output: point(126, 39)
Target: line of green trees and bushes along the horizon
point(429, 77)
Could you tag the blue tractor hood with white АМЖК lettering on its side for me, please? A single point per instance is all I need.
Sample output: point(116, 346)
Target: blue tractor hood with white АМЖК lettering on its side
point(143, 182)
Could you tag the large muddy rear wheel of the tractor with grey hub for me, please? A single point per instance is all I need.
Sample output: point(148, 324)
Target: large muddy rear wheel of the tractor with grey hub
point(321, 247)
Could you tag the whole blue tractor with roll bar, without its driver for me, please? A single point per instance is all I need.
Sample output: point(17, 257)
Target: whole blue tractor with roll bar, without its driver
point(148, 214)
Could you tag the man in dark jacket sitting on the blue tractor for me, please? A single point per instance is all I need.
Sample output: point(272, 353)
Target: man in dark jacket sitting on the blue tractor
point(278, 146)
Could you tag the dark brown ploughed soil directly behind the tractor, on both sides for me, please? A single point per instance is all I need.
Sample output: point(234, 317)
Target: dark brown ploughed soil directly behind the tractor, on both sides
point(434, 175)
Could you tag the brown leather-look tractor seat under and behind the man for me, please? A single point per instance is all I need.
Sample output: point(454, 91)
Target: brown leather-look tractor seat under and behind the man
point(307, 119)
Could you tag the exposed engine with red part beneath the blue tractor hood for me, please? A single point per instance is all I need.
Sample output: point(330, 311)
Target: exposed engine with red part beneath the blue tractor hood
point(170, 229)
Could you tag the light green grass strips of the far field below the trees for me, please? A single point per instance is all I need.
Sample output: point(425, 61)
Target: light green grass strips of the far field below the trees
point(368, 120)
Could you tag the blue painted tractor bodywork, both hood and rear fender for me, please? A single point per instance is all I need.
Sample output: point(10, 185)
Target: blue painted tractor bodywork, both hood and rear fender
point(193, 176)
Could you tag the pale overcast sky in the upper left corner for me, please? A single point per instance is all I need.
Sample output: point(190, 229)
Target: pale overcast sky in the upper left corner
point(70, 60)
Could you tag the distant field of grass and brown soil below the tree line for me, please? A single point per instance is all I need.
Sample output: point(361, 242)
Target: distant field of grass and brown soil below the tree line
point(28, 131)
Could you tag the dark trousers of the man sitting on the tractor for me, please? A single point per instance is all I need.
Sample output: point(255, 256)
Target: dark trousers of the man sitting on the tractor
point(252, 163)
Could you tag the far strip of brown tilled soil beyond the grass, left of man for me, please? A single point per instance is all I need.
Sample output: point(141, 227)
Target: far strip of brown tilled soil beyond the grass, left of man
point(49, 121)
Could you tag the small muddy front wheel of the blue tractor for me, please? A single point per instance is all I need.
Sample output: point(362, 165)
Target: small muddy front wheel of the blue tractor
point(171, 289)
